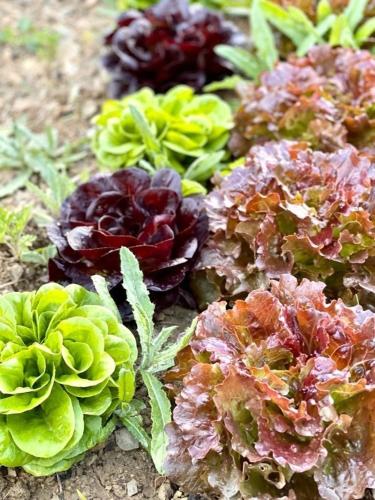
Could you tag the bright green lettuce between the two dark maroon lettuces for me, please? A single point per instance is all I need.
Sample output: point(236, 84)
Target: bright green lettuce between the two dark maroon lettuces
point(171, 129)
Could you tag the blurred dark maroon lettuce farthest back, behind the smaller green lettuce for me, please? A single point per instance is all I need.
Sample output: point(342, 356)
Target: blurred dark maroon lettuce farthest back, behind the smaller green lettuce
point(168, 44)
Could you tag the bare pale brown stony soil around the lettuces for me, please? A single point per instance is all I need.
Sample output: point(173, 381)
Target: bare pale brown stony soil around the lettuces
point(65, 91)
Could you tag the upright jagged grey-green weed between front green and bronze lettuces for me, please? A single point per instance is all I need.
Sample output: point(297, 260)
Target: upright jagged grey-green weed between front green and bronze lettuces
point(156, 355)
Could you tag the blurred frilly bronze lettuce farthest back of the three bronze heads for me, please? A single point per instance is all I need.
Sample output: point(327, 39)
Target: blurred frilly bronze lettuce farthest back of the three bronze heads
point(326, 99)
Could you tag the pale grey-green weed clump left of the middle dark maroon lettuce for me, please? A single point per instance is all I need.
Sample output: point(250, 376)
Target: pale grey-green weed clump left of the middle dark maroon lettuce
point(26, 155)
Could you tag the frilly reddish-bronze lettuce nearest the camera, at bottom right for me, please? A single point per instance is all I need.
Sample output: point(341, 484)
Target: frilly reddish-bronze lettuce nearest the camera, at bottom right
point(275, 398)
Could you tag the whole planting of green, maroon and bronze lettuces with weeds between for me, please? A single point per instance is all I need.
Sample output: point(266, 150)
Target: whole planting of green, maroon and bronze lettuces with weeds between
point(235, 176)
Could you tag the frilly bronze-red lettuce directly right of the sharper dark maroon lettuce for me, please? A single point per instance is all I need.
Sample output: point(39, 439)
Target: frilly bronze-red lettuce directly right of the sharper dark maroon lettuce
point(291, 209)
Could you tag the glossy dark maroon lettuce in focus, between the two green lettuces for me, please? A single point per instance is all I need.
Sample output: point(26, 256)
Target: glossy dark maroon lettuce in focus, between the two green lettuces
point(129, 208)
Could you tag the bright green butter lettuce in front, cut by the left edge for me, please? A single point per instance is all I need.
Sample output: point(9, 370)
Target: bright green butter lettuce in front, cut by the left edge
point(66, 363)
